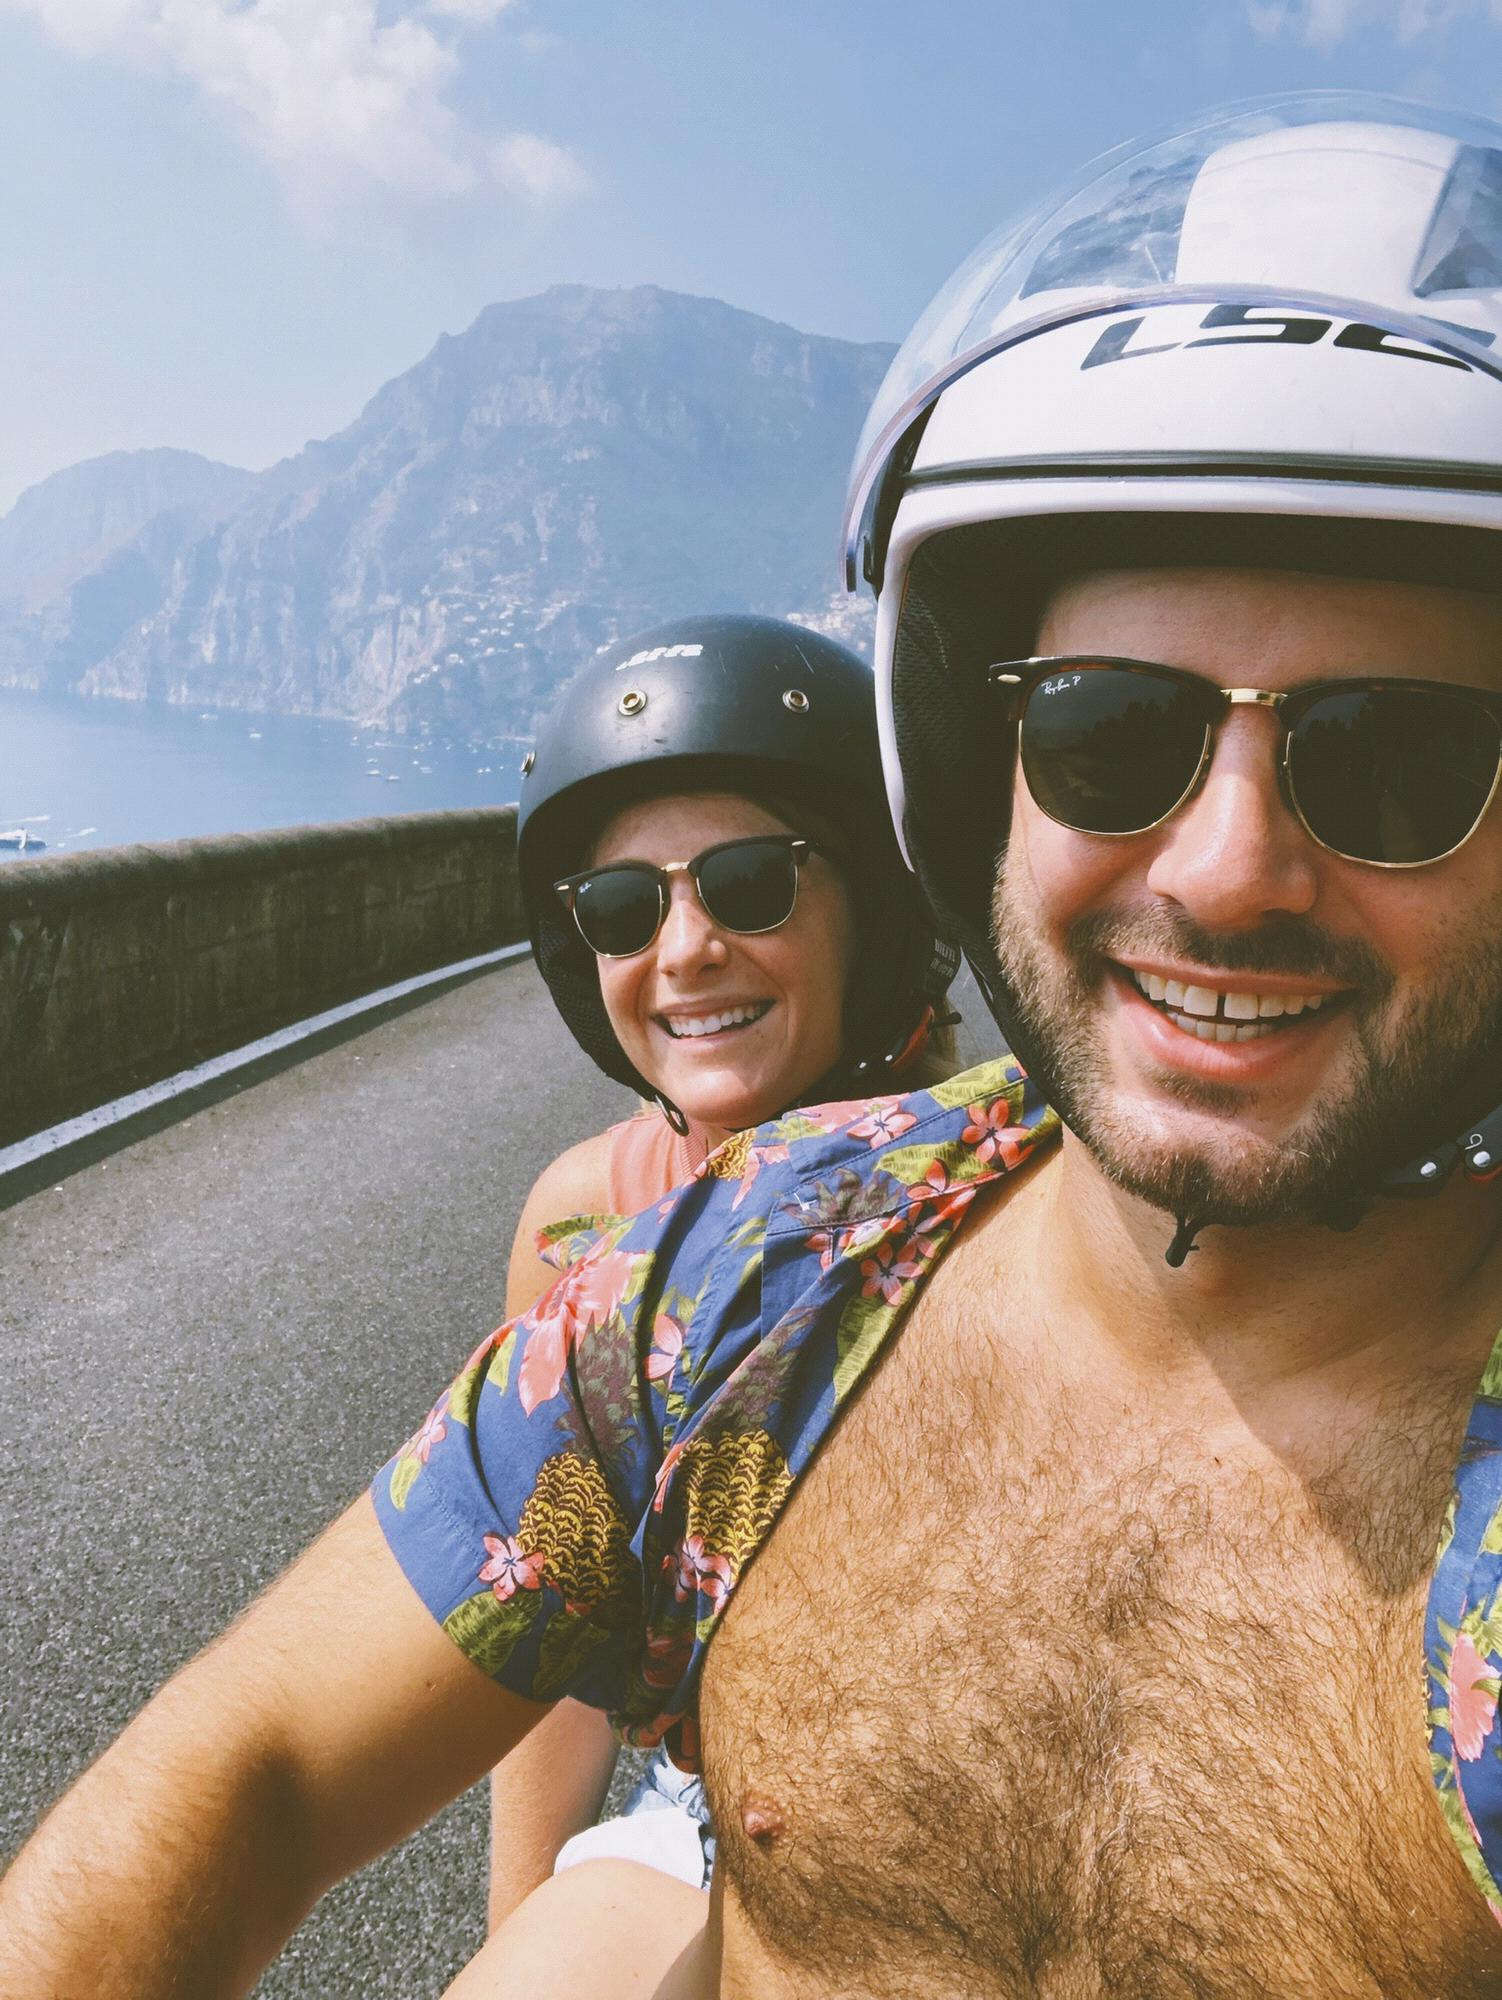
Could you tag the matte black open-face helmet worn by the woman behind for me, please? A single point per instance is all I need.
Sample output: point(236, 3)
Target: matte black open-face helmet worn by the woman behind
point(729, 703)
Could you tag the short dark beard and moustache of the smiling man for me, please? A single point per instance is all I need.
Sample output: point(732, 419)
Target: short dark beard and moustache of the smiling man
point(1411, 1077)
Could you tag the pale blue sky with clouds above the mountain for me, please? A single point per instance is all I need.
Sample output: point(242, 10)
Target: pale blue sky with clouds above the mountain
point(227, 223)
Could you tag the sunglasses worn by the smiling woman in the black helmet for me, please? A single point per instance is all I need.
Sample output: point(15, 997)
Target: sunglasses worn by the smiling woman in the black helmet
point(743, 885)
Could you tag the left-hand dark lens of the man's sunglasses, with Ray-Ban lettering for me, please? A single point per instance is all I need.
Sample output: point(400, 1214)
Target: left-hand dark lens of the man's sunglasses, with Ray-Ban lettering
point(1109, 751)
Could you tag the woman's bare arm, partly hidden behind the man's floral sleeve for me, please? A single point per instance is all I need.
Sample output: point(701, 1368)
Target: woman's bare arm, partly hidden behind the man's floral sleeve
point(555, 1789)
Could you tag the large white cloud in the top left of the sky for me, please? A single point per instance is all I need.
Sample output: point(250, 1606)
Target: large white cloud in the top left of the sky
point(327, 89)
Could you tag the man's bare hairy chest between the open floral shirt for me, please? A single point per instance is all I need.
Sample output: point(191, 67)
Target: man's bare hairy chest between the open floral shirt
point(1021, 1701)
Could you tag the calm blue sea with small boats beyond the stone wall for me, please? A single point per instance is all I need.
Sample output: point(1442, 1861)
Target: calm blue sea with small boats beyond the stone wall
point(97, 773)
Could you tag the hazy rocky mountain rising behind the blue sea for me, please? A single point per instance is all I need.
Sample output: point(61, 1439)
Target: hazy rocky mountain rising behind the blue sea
point(569, 469)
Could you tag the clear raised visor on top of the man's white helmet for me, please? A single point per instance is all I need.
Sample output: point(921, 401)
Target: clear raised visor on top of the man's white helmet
point(1357, 205)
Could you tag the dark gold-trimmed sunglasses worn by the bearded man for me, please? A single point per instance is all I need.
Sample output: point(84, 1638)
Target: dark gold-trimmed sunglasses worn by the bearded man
point(1393, 773)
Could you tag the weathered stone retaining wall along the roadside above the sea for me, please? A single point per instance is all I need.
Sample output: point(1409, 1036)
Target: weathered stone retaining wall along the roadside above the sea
point(127, 965)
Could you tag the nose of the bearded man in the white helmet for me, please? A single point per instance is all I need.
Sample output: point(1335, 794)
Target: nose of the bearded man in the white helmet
point(1235, 855)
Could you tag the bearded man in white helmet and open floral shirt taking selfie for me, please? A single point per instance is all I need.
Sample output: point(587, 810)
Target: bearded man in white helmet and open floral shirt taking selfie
point(1095, 1629)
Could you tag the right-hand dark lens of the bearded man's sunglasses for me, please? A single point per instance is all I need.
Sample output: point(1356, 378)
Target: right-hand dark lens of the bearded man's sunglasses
point(1393, 775)
